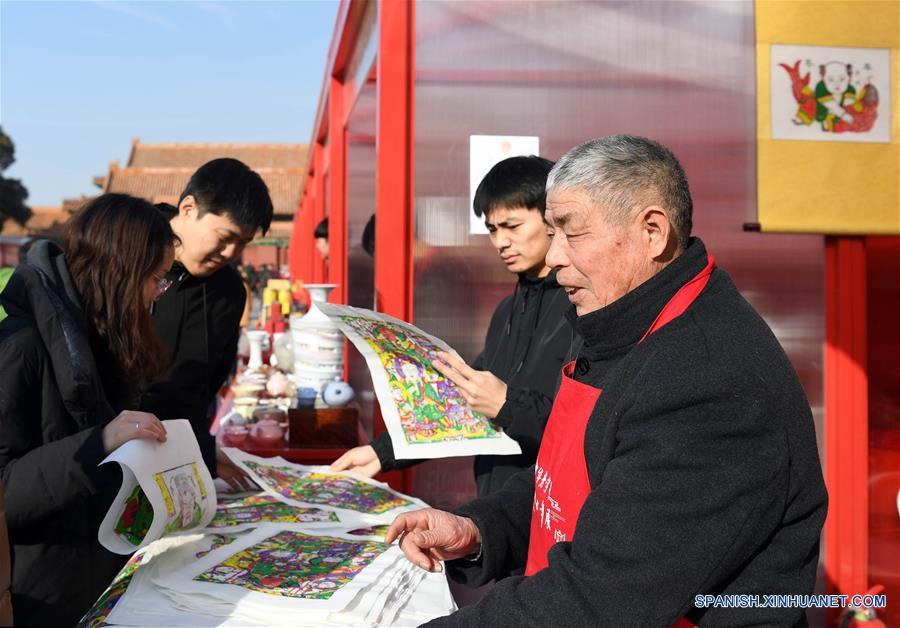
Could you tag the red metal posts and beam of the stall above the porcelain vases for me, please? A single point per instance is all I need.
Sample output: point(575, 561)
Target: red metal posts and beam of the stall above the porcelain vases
point(327, 166)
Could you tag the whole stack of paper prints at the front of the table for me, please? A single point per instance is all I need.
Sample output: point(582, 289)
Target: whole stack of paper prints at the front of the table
point(272, 575)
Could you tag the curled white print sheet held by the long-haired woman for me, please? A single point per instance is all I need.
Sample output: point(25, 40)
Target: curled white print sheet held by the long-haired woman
point(168, 480)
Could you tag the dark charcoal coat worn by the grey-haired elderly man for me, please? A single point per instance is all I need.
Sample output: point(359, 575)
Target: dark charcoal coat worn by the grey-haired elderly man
point(704, 473)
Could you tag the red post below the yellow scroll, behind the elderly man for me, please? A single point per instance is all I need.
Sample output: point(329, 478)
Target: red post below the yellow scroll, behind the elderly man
point(846, 415)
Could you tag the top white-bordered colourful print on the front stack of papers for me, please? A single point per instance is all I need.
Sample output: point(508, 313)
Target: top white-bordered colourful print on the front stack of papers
point(296, 575)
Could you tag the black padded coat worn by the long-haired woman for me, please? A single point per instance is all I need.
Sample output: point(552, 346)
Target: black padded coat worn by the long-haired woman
point(54, 403)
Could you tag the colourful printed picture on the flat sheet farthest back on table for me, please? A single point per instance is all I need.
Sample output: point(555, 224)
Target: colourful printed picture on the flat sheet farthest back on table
point(327, 489)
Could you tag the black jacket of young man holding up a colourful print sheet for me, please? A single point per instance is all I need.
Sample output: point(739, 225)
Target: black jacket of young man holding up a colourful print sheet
point(526, 342)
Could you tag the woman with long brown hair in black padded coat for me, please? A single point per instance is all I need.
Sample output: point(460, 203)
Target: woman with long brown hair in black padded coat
point(75, 349)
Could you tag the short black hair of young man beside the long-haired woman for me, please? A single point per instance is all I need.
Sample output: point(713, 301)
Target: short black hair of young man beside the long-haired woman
point(229, 187)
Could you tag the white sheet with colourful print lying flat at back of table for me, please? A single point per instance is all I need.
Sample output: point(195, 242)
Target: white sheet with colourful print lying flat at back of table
point(357, 501)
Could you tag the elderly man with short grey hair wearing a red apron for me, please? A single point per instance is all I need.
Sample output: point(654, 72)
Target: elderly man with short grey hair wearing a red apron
point(680, 456)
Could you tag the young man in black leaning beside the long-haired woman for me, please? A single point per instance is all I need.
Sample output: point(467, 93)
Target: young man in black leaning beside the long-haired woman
point(224, 205)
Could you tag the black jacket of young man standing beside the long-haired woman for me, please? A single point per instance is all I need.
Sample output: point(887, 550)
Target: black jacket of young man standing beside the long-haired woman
point(198, 320)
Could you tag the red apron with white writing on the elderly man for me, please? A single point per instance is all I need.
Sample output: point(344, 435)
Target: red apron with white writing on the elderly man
point(561, 482)
